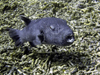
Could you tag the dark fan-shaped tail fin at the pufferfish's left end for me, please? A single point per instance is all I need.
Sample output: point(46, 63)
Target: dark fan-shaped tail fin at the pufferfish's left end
point(15, 35)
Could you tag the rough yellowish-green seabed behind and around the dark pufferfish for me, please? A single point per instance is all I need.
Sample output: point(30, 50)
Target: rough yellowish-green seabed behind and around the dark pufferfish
point(80, 58)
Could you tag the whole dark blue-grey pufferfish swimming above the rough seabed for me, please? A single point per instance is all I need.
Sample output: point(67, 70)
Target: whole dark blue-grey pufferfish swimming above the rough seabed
point(50, 30)
